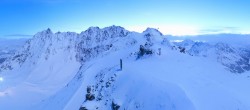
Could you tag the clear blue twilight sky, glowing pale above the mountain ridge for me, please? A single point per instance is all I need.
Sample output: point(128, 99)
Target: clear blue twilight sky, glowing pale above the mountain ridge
point(176, 17)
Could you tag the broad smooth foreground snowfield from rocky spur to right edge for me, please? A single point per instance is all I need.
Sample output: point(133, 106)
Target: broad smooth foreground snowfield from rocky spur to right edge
point(171, 81)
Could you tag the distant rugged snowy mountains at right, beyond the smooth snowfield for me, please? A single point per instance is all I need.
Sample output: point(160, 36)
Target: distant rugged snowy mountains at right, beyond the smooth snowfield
point(236, 59)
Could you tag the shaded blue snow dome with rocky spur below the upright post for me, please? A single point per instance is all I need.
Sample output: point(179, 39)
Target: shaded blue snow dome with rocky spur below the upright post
point(130, 88)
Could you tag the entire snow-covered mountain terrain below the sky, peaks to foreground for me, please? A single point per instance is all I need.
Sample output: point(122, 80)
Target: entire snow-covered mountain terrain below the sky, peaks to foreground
point(54, 70)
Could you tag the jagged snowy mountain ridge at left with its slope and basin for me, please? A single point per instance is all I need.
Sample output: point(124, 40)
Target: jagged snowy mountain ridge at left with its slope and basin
point(50, 60)
